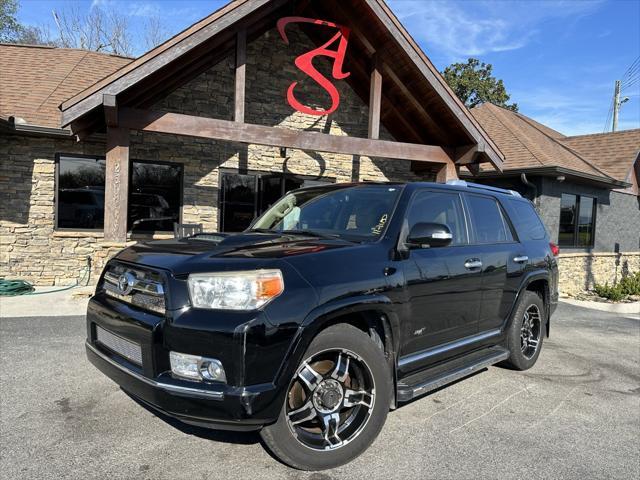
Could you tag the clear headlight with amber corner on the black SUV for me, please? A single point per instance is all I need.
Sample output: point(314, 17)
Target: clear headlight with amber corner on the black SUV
point(235, 290)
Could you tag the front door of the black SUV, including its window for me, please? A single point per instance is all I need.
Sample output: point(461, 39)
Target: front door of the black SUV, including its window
point(443, 283)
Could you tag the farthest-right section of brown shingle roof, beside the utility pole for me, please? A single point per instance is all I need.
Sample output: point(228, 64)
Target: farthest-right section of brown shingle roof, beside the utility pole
point(614, 152)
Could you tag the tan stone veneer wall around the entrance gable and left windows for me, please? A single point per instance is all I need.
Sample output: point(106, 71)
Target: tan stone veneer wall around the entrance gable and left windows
point(31, 248)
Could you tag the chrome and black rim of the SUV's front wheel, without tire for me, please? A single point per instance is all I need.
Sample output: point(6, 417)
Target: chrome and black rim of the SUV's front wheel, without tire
point(330, 399)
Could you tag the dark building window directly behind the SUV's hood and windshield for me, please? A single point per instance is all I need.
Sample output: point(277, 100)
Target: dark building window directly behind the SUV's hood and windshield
point(245, 196)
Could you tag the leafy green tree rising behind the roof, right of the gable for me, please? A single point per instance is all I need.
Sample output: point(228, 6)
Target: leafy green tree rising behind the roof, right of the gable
point(474, 84)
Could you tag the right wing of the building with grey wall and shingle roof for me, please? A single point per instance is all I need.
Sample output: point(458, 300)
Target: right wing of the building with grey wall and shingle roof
point(585, 188)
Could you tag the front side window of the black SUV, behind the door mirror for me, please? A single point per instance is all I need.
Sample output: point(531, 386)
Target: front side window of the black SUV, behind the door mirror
point(439, 207)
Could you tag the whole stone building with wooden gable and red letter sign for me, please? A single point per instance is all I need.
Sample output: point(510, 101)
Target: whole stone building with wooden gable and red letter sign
point(99, 151)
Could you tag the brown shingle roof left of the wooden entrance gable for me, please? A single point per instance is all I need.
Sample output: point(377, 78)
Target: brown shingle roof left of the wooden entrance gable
point(34, 80)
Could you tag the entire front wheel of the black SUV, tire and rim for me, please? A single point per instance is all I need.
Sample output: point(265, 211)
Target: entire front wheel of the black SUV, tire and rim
point(336, 403)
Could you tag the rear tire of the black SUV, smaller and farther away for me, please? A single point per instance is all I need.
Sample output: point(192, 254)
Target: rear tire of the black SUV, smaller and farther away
point(522, 355)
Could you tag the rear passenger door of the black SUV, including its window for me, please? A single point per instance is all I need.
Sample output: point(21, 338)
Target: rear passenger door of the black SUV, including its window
point(503, 261)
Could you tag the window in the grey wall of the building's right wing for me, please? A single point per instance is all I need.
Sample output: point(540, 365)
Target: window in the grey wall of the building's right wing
point(577, 221)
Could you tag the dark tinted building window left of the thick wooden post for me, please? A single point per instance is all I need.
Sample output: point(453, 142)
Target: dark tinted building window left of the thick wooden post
point(80, 193)
